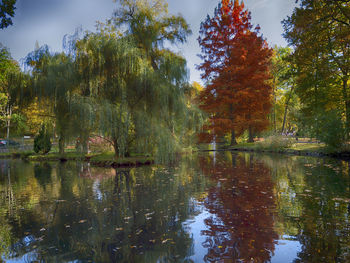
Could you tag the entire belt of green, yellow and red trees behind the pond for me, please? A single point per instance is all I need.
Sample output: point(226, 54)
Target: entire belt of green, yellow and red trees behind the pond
point(124, 88)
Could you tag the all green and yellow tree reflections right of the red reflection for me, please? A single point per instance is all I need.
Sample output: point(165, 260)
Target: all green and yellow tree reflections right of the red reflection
point(313, 201)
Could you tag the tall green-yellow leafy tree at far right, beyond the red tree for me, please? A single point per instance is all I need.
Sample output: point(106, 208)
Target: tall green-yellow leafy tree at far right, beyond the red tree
point(319, 32)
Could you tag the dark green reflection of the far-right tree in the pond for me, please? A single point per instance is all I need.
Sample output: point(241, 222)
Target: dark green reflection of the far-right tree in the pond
point(325, 236)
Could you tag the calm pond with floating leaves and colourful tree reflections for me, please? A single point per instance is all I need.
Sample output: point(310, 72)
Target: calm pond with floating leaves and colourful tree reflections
point(215, 207)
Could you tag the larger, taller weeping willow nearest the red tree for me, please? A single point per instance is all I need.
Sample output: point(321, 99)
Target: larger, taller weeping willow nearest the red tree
point(137, 83)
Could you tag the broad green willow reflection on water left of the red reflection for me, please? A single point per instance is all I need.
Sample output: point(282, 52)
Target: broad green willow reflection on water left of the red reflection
point(128, 216)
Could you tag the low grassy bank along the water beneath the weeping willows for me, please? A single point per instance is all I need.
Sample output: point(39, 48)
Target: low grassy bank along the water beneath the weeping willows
point(98, 159)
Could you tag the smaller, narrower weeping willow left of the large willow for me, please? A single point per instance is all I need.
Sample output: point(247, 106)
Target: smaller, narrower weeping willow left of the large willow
point(54, 78)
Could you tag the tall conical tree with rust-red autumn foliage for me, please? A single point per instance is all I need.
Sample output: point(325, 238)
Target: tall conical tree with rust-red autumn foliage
point(236, 70)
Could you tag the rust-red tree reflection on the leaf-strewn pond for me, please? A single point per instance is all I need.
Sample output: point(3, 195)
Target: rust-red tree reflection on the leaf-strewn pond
point(242, 204)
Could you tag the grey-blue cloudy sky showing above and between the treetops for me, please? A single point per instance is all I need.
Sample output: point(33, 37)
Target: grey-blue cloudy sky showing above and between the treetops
point(47, 21)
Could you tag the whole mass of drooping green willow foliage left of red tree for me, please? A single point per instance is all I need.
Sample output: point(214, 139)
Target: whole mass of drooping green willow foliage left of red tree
point(120, 83)
